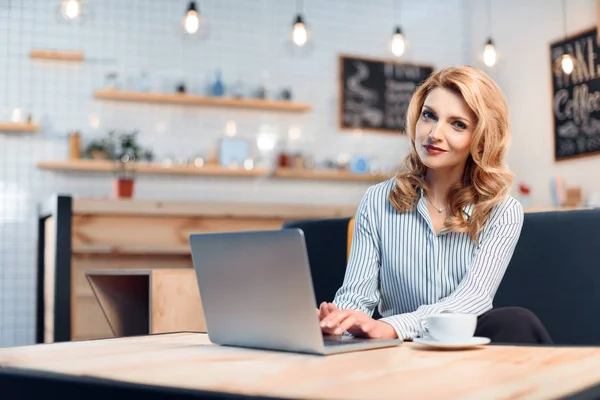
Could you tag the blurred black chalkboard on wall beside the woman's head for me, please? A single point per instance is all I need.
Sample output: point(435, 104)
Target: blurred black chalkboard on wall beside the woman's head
point(374, 94)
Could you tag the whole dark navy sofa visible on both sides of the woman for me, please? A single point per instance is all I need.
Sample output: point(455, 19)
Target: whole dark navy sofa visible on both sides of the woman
point(554, 271)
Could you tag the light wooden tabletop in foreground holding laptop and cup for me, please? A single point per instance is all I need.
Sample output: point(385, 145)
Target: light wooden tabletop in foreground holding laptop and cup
point(188, 361)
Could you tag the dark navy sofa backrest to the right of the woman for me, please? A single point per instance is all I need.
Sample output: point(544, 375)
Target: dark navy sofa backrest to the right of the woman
point(555, 272)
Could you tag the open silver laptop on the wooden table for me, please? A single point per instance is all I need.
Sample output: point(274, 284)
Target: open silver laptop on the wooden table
point(257, 292)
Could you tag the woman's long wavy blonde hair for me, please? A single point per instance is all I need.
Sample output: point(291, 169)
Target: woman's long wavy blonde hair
point(486, 180)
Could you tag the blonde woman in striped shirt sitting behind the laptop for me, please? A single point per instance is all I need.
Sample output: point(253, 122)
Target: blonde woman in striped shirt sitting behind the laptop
point(438, 237)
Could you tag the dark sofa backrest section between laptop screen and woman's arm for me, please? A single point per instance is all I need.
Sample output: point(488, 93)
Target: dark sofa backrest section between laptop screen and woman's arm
point(327, 246)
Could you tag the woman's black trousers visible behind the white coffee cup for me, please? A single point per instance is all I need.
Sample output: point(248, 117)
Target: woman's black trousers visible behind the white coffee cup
point(512, 325)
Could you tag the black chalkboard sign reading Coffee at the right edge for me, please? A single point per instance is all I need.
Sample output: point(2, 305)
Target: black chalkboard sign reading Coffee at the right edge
point(576, 97)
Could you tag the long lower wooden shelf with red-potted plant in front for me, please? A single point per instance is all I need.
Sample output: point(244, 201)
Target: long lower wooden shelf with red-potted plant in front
point(148, 168)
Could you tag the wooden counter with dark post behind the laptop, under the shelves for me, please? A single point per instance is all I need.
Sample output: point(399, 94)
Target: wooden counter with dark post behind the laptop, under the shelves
point(79, 235)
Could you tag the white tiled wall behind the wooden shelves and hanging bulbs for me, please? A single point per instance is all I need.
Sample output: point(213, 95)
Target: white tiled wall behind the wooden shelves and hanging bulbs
point(246, 40)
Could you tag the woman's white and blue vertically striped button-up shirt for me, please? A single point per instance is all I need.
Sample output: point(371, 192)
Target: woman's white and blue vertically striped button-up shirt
point(401, 265)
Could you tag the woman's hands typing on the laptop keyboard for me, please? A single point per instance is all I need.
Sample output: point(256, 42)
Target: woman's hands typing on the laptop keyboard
point(335, 321)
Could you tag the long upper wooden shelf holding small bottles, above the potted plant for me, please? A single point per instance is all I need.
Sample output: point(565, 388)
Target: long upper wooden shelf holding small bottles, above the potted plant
point(187, 99)
